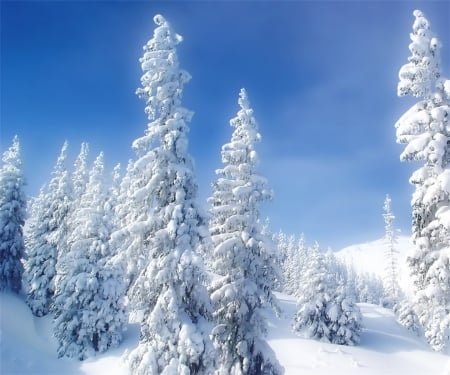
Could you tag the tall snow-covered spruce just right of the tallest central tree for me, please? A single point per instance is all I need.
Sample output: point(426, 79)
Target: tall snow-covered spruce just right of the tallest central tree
point(243, 255)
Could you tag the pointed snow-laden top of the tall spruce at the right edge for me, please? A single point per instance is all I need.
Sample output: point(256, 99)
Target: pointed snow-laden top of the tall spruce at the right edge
point(418, 77)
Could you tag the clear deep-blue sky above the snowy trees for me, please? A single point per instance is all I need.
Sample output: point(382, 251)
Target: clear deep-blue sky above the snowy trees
point(321, 77)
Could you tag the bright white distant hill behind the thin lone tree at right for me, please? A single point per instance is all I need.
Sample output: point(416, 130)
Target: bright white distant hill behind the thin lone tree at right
point(369, 257)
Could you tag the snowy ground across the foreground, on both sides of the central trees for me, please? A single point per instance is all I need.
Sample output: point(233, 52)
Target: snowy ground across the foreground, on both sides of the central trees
point(27, 347)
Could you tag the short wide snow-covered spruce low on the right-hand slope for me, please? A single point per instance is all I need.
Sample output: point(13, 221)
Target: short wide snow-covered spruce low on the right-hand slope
point(325, 312)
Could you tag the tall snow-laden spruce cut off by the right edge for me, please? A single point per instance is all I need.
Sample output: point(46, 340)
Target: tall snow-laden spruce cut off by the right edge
point(425, 129)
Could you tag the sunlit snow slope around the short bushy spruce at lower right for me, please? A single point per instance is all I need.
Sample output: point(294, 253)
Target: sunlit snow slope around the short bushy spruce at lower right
point(386, 348)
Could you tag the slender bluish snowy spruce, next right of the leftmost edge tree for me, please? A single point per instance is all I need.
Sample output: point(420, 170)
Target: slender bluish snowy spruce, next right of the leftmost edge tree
point(46, 232)
